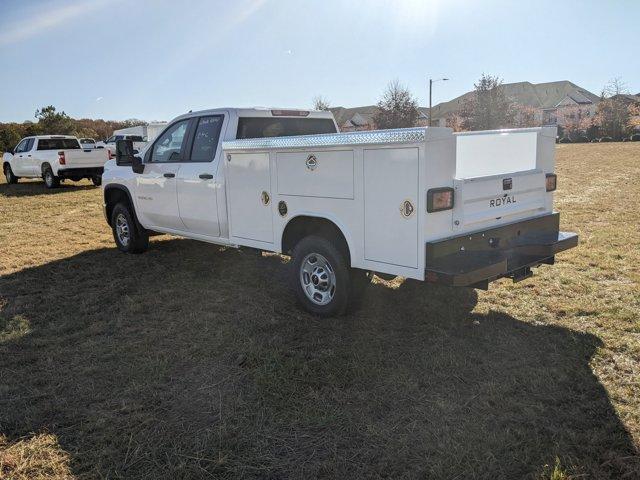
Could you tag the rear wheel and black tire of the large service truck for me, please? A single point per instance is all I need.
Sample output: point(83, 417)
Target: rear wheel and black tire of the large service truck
point(326, 269)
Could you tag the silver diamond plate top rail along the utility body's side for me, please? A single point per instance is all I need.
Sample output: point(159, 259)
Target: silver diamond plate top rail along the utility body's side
point(398, 135)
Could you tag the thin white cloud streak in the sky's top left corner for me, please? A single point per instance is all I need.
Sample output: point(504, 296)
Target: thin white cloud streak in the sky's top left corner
point(47, 19)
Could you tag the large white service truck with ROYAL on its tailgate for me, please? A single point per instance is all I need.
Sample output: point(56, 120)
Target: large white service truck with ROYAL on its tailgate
point(423, 203)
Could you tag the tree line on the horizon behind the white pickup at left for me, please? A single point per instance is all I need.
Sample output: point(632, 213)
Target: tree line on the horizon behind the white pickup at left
point(49, 121)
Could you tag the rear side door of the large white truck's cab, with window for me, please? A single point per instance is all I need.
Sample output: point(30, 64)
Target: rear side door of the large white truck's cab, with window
point(198, 183)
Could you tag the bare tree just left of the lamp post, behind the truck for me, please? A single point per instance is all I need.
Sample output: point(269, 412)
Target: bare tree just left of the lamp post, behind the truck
point(397, 108)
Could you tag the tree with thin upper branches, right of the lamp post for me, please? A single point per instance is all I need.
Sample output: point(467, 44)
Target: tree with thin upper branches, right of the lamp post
point(488, 108)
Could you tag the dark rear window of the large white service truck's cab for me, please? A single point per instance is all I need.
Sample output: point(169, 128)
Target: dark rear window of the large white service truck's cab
point(259, 127)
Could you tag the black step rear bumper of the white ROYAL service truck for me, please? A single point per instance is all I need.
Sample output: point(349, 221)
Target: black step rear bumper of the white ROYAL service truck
point(508, 251)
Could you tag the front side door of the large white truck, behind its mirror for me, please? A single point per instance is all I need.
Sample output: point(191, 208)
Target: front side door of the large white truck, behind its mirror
point(156, 189)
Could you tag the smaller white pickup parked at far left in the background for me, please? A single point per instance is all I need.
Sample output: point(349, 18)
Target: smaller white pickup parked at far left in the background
point(53, 158)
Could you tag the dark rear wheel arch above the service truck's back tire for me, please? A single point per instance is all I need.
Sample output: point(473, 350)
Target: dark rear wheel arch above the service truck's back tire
point(303, 226)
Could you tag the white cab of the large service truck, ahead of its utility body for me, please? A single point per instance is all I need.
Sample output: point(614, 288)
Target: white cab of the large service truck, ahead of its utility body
point(181, 189)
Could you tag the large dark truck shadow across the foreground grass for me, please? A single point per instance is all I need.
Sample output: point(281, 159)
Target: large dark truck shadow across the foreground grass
point(192, 361)
